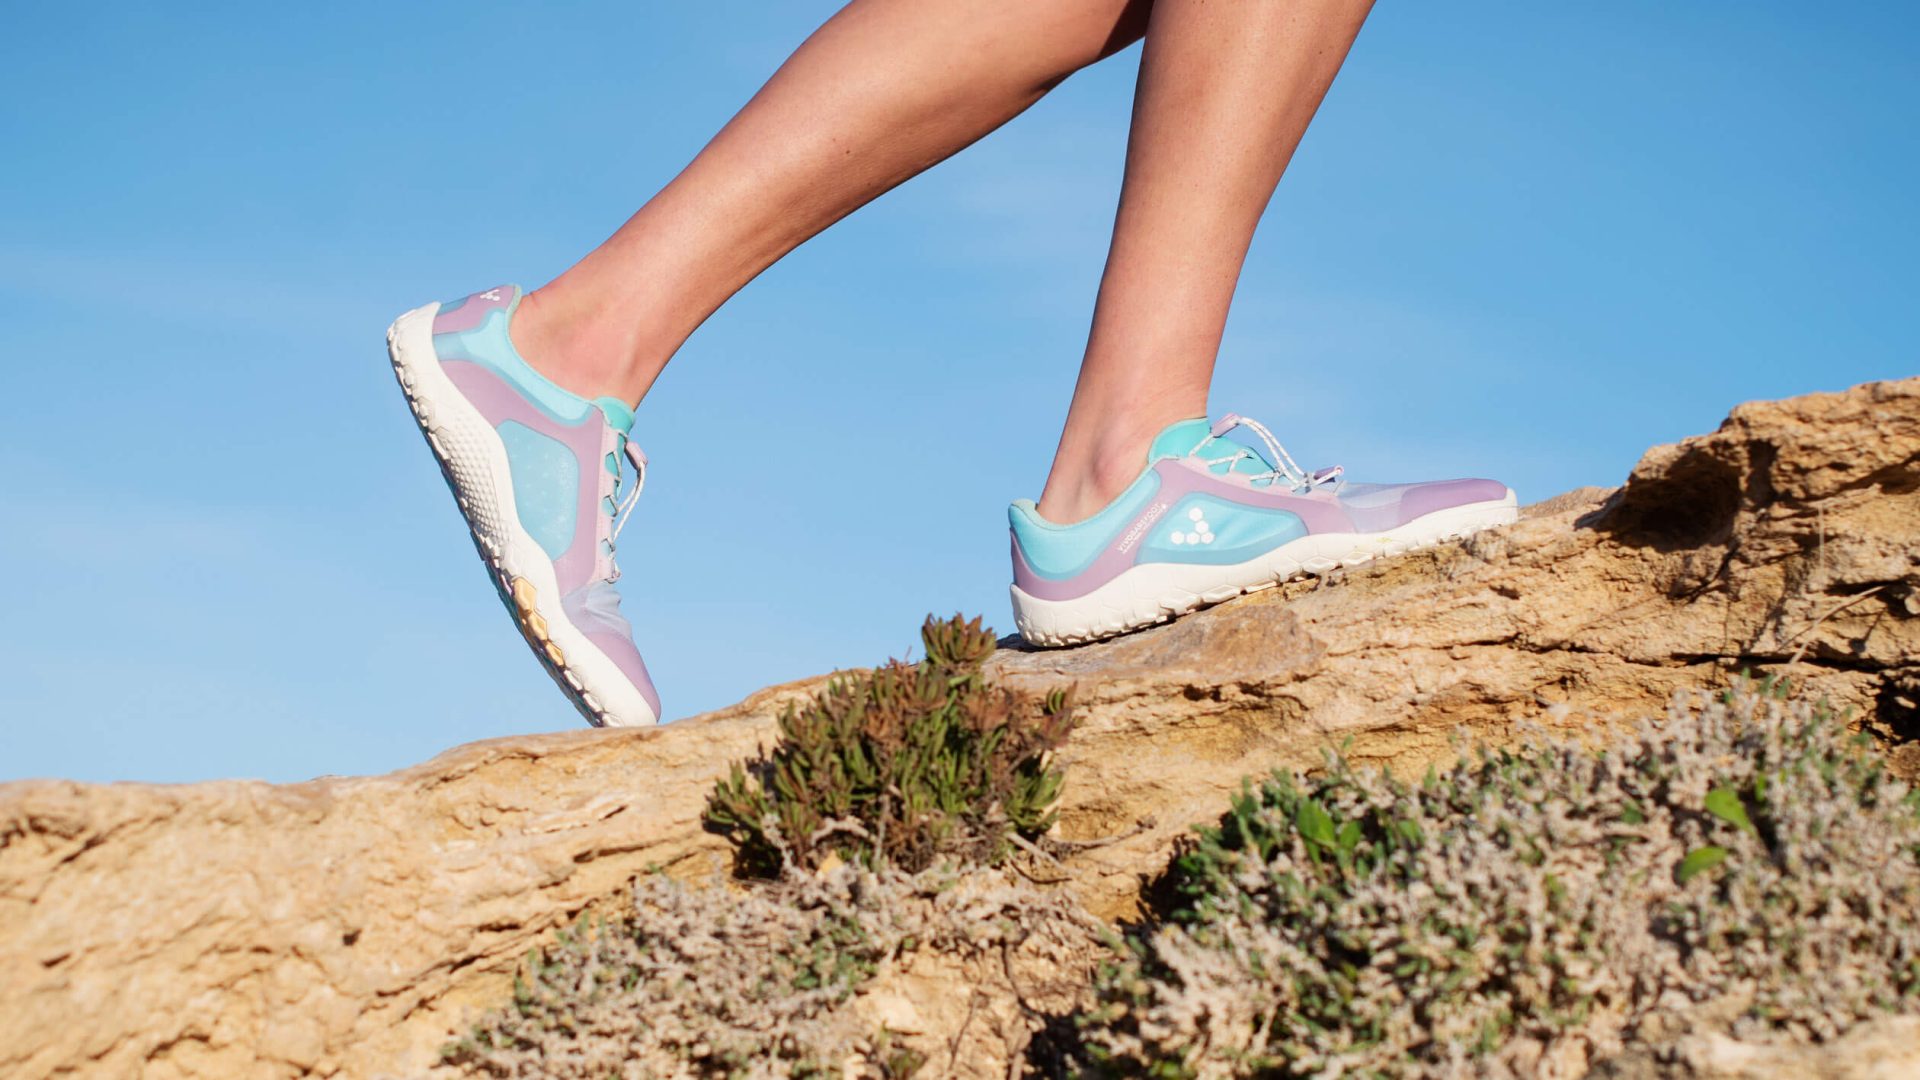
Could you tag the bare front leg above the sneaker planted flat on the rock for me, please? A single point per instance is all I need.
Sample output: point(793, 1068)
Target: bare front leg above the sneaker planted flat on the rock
point(1226, 93)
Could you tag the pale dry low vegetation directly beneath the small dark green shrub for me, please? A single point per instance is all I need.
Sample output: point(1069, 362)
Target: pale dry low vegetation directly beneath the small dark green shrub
point(748, 983)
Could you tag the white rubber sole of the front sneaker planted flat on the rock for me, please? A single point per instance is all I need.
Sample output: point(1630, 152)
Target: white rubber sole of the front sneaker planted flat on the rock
point(1155, 593)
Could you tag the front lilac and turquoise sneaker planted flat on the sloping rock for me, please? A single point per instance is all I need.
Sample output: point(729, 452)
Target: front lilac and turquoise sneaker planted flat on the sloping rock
point(1211, 520)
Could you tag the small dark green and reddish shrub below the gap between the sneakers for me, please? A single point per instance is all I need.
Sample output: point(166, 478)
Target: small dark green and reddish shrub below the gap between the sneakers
point(901, 766)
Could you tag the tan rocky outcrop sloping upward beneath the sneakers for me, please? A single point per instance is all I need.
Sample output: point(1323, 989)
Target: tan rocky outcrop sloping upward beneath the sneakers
point(348, 925)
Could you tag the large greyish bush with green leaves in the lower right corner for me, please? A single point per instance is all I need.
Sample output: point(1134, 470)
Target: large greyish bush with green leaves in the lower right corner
point(1531, 908)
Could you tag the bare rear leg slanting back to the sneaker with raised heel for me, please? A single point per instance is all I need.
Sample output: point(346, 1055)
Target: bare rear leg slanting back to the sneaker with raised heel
point(884, 91)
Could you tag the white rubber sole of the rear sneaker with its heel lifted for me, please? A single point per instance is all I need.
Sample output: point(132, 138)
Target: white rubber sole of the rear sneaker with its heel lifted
point(475, 464)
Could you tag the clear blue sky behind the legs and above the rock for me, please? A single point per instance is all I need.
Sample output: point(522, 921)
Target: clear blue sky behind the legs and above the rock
point(1520, 241)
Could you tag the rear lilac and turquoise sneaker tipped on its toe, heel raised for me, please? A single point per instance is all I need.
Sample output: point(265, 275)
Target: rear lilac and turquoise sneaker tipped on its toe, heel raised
point(537, 472)
